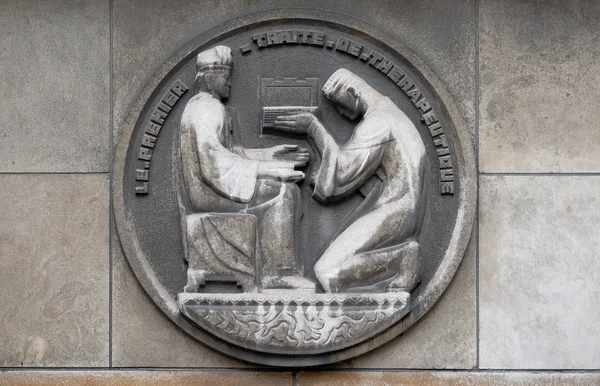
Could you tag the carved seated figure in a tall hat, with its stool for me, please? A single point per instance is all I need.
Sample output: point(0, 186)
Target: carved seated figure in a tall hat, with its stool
point(231, 197)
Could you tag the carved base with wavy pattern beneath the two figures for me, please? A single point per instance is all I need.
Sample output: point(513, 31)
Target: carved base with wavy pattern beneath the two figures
point(295, 324)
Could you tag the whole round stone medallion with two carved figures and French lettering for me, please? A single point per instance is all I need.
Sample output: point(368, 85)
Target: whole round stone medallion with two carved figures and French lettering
point(294, 188)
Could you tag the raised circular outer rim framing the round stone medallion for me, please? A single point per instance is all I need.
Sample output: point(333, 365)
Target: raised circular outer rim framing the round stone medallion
point(145, 274)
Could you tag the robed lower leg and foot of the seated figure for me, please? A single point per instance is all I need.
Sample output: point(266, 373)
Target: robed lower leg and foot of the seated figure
point(277, 211)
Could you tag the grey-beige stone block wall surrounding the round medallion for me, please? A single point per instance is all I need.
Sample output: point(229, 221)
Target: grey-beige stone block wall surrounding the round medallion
point(526, 75)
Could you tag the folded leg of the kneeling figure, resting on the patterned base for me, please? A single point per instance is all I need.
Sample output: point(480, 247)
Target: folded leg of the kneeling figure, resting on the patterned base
point(357, 259)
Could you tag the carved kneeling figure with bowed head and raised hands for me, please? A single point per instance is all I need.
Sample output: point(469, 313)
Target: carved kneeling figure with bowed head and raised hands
point(386, 153)
